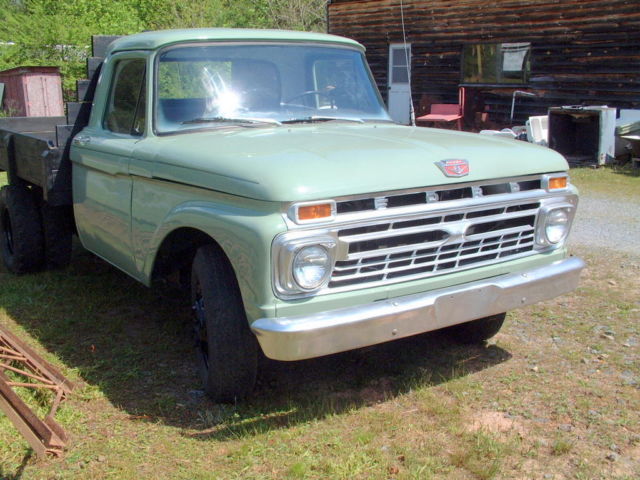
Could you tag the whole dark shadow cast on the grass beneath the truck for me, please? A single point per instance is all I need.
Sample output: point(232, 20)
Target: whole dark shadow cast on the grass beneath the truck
point(133, 345)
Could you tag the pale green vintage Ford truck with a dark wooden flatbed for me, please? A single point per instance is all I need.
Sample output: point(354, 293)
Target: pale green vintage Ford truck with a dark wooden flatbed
point(262, 169)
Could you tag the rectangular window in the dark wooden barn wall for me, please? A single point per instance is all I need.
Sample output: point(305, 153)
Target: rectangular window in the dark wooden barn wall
point(496, 63)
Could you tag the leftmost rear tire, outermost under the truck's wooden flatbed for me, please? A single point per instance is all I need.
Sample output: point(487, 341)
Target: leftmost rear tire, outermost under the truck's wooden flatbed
point(21, 240)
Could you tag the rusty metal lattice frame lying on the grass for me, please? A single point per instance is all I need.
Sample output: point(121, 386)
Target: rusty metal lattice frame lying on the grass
point(44, 436)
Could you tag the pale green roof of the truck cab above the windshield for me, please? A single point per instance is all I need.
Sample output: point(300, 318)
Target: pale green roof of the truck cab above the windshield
point(157, 39)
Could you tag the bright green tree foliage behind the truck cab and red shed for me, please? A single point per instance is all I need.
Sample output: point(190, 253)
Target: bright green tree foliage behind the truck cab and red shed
point(58, 32)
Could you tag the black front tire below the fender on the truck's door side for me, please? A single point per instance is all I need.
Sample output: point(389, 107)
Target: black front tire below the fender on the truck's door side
point(226, 350)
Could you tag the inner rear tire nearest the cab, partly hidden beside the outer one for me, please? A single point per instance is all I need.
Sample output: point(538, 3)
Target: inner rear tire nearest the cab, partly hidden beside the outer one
point(57, 234)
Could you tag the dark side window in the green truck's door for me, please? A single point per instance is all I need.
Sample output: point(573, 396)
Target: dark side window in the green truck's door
point(126, 107)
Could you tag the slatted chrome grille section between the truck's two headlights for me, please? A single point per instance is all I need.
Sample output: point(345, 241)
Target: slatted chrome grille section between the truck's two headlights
point(433, 244)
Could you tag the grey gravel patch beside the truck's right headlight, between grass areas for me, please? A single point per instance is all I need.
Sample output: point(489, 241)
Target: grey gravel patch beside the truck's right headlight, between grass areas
point(604, 221)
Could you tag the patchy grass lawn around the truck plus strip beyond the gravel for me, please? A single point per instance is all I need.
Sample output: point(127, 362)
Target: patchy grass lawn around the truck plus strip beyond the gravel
point(554, 395)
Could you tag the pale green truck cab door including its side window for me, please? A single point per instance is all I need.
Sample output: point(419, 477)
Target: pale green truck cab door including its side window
point(101, 154)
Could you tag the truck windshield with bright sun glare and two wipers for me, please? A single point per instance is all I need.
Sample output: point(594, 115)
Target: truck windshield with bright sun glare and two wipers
point(214, 85)
